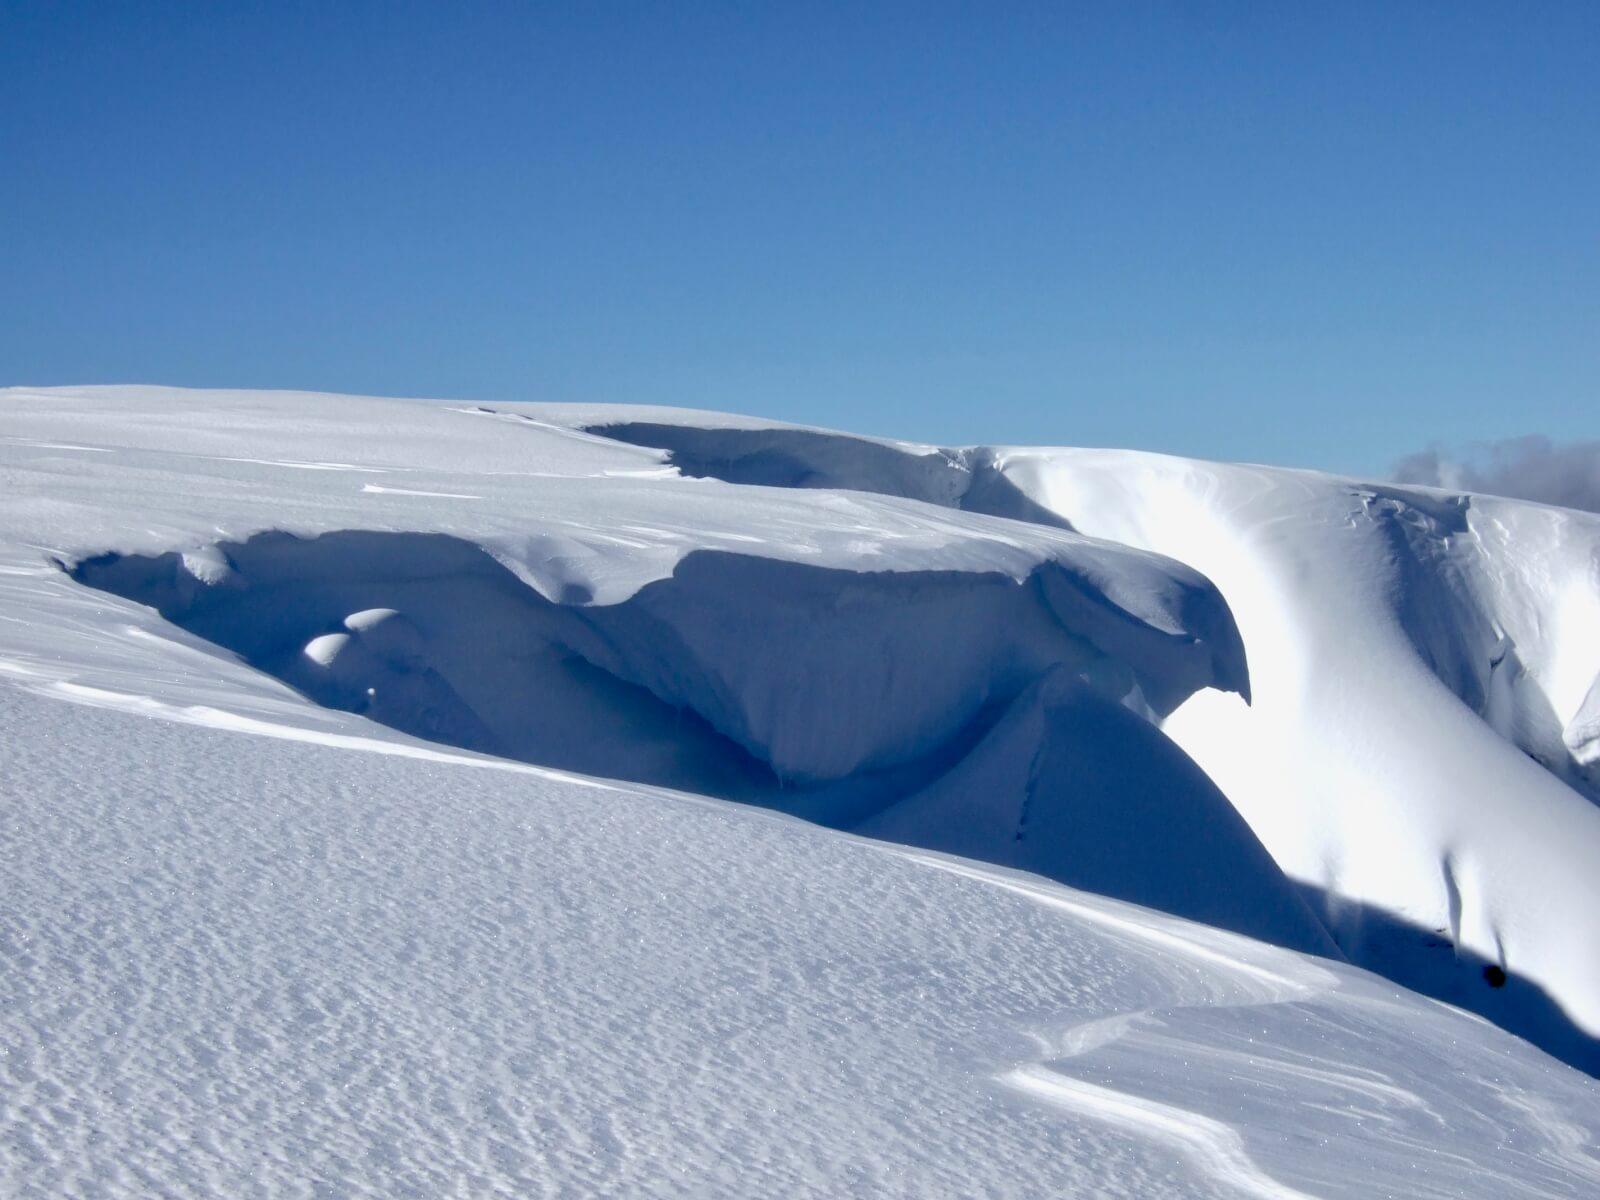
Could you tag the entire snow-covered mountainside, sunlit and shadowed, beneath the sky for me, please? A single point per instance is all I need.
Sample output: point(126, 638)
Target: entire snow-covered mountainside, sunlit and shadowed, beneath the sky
point(369, 833)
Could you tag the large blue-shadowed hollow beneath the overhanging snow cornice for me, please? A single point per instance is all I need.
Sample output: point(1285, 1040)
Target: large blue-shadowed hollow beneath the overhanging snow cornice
point(870, 700)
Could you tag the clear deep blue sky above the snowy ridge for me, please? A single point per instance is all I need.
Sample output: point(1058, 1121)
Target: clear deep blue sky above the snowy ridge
point(1306, 234)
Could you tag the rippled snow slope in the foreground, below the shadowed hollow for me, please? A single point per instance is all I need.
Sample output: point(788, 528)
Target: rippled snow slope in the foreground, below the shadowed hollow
point(257, 967)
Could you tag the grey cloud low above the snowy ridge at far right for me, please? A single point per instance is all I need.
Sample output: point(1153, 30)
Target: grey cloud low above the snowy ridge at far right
point(1527, 468)
